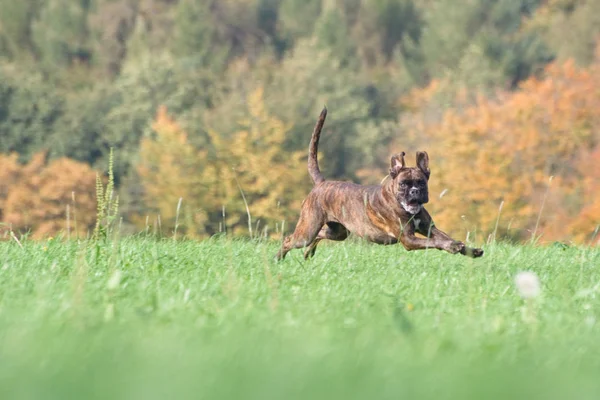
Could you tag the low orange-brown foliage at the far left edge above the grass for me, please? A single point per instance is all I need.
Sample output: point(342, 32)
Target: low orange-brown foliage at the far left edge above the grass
point(34, 197)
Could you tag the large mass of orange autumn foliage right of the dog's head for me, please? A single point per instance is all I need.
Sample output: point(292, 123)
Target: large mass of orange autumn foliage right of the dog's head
point(507, 150)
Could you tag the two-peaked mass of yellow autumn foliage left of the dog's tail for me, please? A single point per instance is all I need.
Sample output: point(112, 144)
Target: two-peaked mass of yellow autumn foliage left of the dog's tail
point(252, 160)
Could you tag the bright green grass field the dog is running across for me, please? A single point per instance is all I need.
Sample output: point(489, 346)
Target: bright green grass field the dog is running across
point(148, 319)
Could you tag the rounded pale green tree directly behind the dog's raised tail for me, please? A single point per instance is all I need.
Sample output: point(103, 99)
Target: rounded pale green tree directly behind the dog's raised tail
point(309, 79)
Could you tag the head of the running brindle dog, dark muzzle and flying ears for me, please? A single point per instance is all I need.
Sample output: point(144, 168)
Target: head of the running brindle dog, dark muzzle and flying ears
point(410, 184)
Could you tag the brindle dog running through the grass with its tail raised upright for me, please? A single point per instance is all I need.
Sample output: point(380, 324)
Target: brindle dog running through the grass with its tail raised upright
point(385, 214)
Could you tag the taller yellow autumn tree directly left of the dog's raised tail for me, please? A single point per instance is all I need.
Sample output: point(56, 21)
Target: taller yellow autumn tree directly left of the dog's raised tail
point(254, 168)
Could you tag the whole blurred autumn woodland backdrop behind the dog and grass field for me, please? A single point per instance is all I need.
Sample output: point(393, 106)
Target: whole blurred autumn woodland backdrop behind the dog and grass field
point(203, 100)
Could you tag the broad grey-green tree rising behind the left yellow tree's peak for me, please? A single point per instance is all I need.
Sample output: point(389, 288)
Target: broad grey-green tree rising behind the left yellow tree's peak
point(117, 115)
